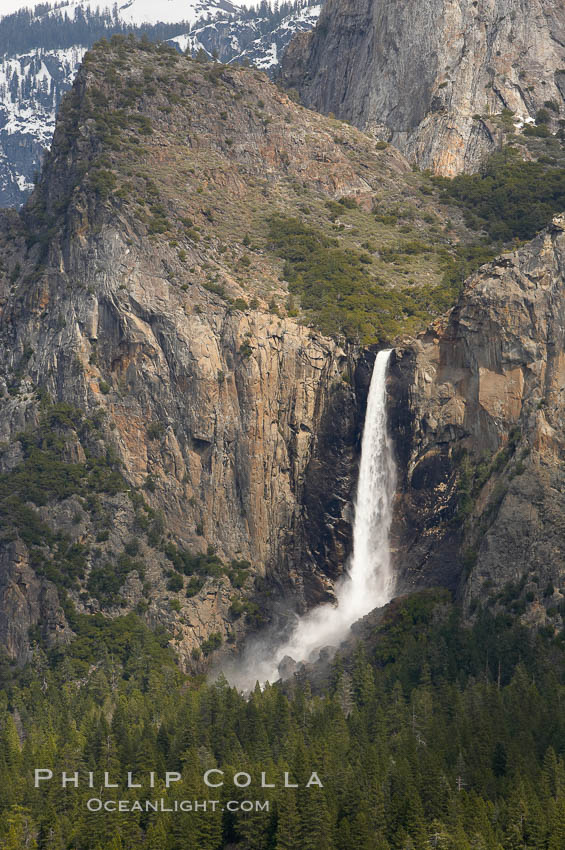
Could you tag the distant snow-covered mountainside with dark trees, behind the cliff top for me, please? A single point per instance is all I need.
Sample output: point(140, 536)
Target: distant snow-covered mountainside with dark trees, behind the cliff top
point(42, 52)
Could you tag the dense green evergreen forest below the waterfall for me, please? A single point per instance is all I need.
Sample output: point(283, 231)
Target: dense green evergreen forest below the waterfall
point(432, 735)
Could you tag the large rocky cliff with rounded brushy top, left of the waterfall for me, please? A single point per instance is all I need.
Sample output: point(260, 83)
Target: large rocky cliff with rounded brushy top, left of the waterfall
point(177, 438)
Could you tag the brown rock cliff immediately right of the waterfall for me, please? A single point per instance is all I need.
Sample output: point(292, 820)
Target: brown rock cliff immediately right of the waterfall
point(480, 425)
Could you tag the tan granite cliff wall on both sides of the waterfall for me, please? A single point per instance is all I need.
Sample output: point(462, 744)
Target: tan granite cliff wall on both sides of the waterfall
point(176, 437)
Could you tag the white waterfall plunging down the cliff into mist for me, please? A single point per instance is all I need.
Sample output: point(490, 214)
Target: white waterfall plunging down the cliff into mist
point(369, 582)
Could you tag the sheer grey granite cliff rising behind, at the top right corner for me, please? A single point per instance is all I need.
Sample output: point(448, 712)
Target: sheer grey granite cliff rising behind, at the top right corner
point(427, 75)
